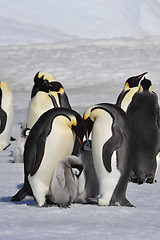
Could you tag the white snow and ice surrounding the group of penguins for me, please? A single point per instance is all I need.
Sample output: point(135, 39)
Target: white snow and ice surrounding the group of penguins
point(91, 47)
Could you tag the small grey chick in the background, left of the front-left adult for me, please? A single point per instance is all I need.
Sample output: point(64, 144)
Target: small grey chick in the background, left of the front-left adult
point(19, 148)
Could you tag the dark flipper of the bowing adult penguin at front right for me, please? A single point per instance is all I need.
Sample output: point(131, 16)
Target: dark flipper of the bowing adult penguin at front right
point(108, 149)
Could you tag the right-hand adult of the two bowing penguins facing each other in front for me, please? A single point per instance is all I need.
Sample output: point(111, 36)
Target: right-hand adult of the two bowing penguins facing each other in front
point(110, 146)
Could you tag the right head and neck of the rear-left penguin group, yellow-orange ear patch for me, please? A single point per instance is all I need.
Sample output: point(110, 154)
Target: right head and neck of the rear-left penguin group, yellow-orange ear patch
point(58, 95)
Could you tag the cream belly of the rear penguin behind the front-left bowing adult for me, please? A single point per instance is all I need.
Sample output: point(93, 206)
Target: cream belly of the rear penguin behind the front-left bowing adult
point(37, 106)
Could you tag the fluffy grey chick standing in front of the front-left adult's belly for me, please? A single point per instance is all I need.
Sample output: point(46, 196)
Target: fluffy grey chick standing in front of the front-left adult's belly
point(64, 181)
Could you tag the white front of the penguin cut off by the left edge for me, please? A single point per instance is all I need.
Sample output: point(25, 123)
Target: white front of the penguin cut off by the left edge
point(7, 106)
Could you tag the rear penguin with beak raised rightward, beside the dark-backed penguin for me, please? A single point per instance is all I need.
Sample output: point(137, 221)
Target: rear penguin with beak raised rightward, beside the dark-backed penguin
point(130, 88)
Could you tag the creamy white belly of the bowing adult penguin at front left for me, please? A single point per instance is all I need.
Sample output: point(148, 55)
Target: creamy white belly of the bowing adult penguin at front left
point(59, 144)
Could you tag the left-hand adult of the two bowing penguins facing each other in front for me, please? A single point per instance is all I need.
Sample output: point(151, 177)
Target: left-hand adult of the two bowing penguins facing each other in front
point(50, 139)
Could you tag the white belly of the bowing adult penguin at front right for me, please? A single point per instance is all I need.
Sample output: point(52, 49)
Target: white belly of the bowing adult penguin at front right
point(101, 133)
